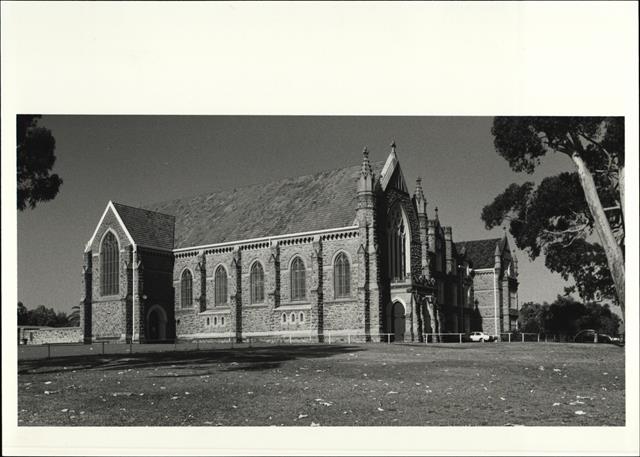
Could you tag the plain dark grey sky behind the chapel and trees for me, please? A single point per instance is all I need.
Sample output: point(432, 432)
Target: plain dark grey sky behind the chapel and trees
point(142, 159)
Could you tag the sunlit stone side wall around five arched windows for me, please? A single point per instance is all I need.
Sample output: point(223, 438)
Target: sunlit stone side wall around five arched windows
point(278, 313)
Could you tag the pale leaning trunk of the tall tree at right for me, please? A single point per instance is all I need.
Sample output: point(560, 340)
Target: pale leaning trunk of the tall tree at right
point(615, 258)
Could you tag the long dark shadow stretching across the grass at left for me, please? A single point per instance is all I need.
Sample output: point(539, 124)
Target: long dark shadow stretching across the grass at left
point(247, 359)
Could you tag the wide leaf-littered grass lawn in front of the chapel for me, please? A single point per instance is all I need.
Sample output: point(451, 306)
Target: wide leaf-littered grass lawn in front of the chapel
point(302, 385)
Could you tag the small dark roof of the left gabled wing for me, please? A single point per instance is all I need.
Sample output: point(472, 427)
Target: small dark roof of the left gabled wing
point(147, 228)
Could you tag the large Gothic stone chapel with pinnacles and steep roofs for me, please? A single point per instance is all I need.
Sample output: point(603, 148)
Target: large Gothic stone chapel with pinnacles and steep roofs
point(348, 251)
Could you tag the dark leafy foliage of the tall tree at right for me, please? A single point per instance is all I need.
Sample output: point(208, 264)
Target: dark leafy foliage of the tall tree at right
point(554, 218)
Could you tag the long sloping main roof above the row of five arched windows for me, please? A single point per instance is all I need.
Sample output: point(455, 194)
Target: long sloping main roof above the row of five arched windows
point(299, 204)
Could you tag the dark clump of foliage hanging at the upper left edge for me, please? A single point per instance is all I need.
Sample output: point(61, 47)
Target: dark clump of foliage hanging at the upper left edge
point(35, 159)
